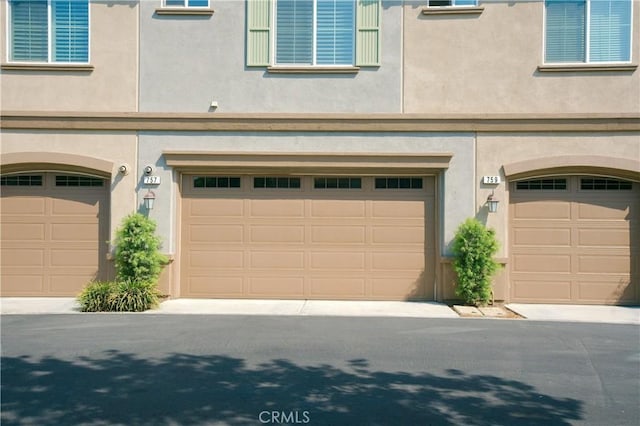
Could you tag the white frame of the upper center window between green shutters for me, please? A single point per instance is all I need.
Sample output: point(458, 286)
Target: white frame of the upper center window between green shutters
point(314, 62)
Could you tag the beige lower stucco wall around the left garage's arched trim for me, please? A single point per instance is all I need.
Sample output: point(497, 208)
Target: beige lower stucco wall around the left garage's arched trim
point(120, 148)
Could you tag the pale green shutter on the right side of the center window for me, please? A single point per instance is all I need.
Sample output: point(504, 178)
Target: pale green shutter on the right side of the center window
point(369, 14)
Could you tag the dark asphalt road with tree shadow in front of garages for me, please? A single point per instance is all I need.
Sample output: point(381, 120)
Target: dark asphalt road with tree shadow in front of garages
point(115, 369)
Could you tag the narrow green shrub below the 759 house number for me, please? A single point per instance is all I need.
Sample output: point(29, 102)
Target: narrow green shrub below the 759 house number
point(474, 246)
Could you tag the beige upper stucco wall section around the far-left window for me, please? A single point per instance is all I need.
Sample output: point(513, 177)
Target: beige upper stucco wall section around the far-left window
point(111, 86)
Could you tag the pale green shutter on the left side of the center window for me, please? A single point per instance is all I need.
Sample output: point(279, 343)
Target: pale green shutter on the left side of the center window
point(258, 32)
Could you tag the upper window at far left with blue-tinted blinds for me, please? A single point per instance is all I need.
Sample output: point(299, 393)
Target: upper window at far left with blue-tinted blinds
point(49, 31)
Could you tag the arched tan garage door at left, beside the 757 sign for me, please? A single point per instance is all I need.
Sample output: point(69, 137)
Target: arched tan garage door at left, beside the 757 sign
point(54, 233)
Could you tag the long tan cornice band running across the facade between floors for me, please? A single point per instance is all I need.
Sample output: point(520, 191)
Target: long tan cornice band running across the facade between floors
point(318, 122)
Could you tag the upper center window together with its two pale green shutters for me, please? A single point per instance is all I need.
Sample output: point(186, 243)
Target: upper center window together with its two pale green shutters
point(313, 32)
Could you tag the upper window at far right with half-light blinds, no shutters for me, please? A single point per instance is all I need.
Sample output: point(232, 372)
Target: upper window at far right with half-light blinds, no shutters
point(587, 31)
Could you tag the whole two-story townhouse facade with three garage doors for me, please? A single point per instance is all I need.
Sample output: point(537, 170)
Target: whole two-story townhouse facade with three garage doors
point(324, 149)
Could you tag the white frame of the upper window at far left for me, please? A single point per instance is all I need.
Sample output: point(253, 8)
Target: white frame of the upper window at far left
point(50, 41)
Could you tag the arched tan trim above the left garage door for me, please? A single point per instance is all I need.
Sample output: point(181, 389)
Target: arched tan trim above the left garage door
point(17, 162)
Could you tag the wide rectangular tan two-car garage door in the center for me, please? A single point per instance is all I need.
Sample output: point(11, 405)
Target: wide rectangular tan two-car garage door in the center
point(307, 237)
